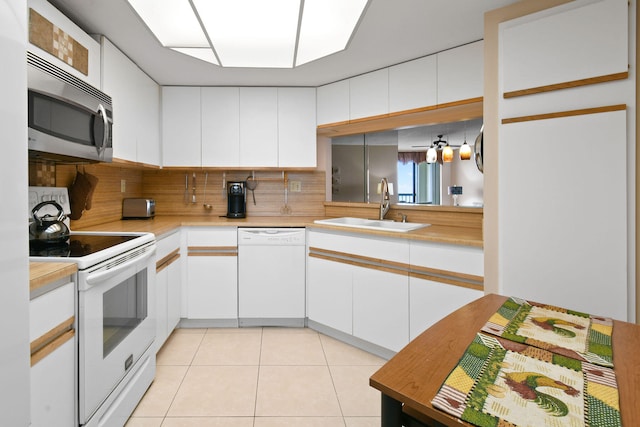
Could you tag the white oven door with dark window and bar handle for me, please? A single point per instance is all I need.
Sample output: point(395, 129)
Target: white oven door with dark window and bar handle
point(116, 323)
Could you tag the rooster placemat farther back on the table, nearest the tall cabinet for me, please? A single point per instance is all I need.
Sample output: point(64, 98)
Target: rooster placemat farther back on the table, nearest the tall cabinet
point(570, 333)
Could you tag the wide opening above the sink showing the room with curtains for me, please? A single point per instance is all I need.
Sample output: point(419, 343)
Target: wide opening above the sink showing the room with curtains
point(360, 161)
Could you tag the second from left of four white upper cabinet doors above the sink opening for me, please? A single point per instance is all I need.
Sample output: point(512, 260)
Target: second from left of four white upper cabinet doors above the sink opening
point(369, 94)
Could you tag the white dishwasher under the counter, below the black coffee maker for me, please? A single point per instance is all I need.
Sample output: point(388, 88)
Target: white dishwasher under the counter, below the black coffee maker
point(271, 276)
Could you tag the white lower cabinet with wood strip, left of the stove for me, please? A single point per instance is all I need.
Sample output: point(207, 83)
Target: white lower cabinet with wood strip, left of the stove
point(53, 357)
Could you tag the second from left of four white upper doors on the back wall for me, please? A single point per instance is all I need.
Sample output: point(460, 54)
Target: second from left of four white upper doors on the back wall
point(220, 126)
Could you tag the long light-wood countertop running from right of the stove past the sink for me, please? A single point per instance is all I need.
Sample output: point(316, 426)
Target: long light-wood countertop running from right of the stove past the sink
point(162, 225)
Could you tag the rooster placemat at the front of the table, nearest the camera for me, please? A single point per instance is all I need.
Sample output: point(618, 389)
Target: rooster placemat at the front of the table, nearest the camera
point(500, 383)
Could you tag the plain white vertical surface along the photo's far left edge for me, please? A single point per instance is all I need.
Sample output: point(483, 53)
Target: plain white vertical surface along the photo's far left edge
point(14, 289)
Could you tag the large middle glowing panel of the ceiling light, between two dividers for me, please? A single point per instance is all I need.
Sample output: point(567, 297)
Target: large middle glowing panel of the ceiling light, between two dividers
point(251, 33)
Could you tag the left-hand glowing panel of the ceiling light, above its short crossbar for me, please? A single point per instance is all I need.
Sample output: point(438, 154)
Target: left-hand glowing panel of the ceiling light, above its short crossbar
point(172, 22)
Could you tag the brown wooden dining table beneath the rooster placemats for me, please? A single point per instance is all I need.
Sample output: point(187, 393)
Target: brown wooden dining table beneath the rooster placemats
point(410, 380)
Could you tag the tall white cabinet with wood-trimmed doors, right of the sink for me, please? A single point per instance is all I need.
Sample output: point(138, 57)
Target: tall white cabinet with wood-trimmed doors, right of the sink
point(567, 174)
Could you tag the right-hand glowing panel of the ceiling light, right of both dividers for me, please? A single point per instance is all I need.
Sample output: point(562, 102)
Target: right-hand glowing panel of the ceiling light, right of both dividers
point(327, 26)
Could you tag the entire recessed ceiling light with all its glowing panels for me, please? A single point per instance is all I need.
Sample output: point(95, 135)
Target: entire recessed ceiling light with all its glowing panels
point(253, 33)
